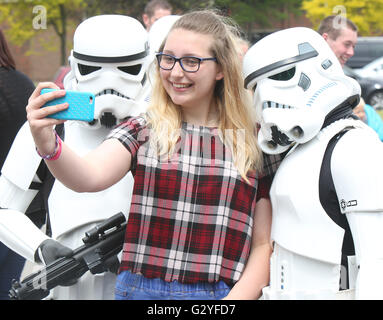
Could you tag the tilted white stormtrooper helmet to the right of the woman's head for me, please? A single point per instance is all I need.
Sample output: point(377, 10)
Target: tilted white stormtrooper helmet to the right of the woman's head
point(297, 81)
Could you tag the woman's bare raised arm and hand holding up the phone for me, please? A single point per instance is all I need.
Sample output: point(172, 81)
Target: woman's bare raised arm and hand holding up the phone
point(98, 170)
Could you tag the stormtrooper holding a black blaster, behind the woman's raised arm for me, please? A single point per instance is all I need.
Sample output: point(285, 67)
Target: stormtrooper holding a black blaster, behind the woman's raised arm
point(110, 58)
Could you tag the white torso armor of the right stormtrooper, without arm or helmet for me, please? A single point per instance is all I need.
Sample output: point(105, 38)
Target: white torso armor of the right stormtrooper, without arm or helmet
point(308, 244)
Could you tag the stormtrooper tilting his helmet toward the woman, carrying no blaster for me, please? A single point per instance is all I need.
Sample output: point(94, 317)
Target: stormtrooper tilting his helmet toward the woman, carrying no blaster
point(327, 193)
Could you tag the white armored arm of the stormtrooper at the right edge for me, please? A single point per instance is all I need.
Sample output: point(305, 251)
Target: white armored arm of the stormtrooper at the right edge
point(357, 171)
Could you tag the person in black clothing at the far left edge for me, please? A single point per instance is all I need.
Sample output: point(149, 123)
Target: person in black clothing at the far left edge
point(15, 89)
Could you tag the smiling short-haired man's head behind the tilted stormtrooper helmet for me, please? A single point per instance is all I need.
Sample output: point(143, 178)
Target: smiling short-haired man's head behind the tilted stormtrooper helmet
point(341, 34)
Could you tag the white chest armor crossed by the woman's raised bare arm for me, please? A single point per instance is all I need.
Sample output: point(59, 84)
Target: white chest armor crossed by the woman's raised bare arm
point(69, 209)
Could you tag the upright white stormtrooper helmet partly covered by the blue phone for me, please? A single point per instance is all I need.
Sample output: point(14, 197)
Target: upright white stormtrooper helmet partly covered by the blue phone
point(110, 58)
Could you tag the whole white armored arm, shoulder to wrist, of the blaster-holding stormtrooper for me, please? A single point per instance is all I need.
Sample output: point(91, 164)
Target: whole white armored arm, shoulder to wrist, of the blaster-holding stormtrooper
point(17, 231)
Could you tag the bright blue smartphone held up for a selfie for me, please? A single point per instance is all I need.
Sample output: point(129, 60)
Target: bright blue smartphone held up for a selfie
point(81, 105)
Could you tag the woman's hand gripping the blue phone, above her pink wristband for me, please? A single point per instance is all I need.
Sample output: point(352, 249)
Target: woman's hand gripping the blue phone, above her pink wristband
point(40, 126)
